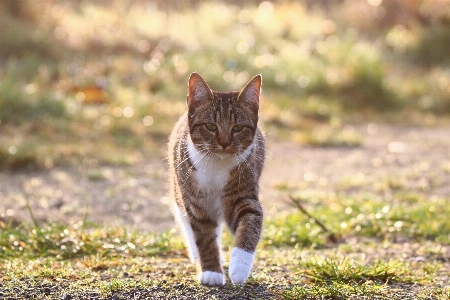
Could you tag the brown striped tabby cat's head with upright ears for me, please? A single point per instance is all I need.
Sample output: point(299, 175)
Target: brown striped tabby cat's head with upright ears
point(222, 122)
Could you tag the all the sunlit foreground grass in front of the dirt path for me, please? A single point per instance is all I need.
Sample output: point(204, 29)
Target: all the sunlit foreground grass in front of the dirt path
point(295, 260)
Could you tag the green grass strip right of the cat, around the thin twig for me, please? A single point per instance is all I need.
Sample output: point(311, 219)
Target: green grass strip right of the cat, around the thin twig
point(414, 216)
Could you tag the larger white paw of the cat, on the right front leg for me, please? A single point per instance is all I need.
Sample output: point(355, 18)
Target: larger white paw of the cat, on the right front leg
point(240, 265)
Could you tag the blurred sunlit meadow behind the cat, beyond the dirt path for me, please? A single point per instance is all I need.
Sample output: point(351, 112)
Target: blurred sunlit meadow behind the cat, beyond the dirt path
point(104, 81)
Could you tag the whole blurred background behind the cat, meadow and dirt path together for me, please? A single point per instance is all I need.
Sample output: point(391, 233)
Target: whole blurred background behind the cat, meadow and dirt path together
point(356, 99)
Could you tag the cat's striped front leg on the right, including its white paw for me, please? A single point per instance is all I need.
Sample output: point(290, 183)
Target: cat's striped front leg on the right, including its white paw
point(245, 222)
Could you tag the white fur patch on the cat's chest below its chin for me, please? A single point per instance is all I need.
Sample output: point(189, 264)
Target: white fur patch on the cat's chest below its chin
point(213, 171)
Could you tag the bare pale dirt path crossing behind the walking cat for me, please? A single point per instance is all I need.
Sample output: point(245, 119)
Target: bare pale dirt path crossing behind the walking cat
point(136, 195)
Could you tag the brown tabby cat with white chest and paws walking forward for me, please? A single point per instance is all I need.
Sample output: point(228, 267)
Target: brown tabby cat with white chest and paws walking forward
point(216, 155)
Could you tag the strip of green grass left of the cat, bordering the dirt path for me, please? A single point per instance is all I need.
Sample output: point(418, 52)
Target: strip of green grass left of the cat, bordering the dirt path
point(66, 242)
